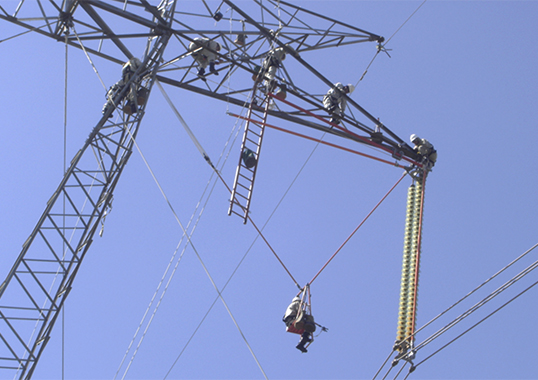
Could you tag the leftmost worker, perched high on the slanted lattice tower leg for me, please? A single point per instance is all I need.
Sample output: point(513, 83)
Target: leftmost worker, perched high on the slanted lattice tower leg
point(135, 96)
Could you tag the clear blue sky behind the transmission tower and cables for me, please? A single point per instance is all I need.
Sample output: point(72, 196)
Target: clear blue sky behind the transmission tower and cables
point(461, 74)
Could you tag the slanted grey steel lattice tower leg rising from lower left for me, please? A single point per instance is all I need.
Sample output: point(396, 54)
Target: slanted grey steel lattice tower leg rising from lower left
point(36, 287)
